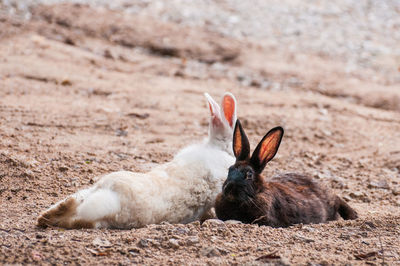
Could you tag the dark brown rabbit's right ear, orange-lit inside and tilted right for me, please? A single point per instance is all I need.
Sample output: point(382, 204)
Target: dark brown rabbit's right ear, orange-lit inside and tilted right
point(266, 149)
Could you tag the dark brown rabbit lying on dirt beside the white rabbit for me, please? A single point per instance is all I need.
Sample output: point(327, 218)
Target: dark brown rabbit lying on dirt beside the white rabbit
point(279, 202)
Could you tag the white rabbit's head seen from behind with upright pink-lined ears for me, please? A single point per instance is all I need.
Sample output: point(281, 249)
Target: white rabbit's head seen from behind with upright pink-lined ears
point(222, 121)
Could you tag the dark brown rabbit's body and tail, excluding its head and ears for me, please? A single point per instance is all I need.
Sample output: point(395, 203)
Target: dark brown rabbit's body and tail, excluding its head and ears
point(285, 200)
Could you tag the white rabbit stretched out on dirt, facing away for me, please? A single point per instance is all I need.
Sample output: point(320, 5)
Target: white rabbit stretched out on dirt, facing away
point(180, 191)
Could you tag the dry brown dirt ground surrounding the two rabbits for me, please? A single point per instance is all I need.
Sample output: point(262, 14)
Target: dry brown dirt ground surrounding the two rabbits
point(80, 97)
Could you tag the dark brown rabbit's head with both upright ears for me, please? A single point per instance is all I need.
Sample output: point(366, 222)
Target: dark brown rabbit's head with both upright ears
point(244, 179)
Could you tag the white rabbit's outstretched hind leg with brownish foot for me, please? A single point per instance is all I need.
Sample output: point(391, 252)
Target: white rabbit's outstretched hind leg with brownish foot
point(87, 208)
